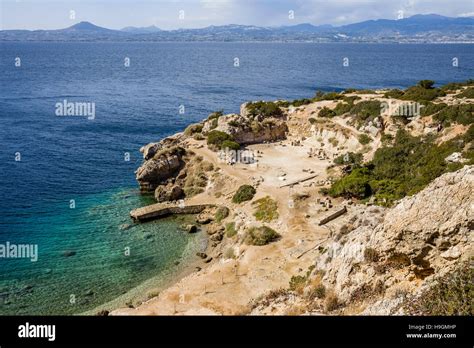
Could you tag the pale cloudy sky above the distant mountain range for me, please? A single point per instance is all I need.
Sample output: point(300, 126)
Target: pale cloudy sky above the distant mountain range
point(175, 14)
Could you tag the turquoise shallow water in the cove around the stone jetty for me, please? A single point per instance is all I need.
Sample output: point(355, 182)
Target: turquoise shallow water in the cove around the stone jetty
point(100, 233)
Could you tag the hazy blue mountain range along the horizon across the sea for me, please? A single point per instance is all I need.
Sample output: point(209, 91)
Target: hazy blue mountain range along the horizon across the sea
point(418, 28)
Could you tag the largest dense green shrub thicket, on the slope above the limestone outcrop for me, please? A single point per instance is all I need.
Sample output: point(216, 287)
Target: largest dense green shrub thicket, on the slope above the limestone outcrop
point(402, 169)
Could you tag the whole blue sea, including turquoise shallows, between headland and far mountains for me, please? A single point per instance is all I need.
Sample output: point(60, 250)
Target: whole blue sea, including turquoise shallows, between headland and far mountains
point(67, 184)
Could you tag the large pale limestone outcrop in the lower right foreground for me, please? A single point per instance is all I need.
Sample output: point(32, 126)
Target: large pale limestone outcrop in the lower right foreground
point(420, 239)
